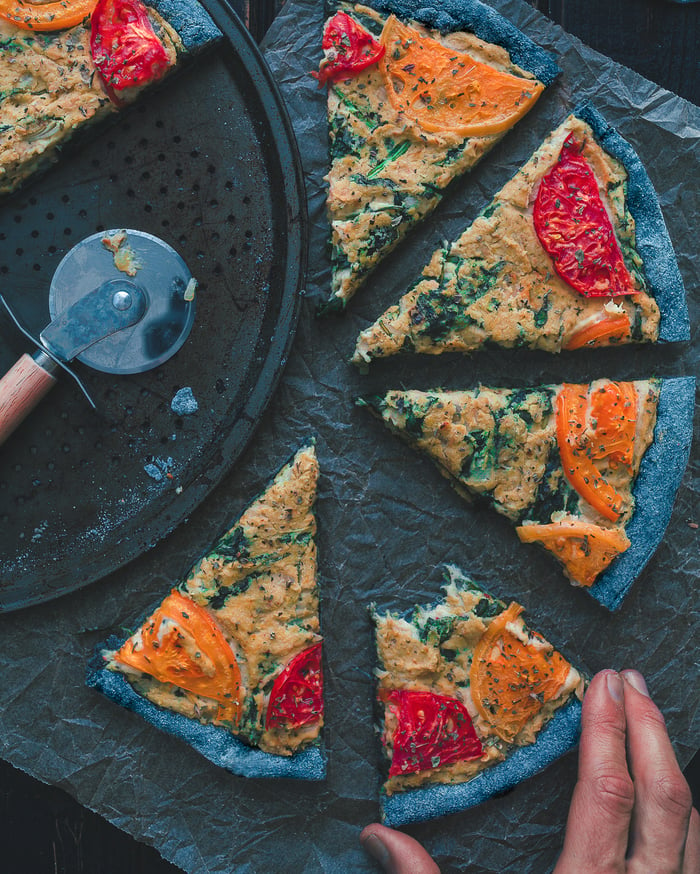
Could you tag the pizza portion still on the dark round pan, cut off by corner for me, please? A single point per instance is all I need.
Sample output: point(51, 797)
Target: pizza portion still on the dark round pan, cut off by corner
point(67, 65)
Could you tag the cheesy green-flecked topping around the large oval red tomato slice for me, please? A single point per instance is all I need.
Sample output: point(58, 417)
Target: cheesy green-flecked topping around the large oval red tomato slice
point(497, 284)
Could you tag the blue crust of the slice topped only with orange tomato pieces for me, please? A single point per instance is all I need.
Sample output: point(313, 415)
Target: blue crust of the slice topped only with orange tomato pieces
point(660, 475)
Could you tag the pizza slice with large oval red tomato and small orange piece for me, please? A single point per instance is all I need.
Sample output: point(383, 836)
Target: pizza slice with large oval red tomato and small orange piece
point(572, 252)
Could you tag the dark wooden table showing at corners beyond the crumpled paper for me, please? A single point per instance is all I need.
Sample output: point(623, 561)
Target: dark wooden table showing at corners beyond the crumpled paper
point(43, 830)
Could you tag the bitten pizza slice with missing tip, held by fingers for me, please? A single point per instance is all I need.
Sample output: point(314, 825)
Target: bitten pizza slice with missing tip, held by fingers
point(472, 702)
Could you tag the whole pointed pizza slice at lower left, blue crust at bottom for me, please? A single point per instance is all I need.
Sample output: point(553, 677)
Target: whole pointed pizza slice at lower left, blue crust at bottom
point(231, 658)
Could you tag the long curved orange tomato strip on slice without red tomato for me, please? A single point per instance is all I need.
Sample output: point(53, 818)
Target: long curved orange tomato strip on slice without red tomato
point(576, 454)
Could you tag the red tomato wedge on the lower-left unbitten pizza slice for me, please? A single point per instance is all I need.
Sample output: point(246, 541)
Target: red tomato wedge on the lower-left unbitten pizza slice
point(296, 698)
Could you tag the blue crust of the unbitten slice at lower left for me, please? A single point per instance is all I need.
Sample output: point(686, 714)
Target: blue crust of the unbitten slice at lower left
point(211, 741)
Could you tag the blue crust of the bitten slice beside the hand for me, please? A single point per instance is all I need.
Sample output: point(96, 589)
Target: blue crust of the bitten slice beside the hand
point(417, 805)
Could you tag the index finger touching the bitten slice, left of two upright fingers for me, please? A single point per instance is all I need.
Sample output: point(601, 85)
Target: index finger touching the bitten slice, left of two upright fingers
point(597, 830)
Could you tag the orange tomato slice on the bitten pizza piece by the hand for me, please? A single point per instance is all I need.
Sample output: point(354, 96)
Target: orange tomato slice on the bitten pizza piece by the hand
point(511, 680)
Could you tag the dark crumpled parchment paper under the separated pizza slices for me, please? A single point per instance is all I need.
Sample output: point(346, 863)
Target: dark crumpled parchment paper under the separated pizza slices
point(387, 521)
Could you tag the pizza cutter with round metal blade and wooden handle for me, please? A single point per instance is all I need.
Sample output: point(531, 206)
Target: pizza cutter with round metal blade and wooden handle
point(120, 301)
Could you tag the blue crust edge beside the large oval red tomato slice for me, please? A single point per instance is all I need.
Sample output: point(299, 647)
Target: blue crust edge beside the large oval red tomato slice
point(653, 241)
